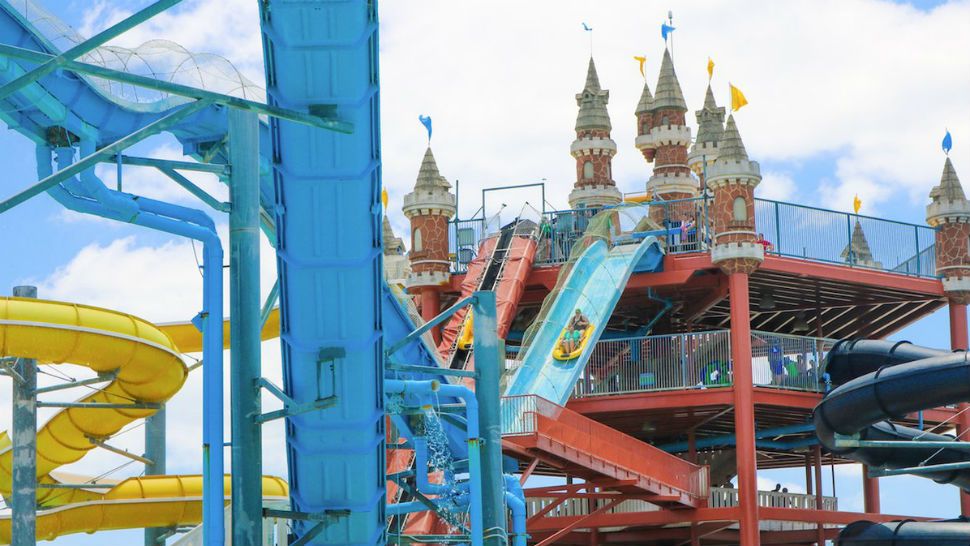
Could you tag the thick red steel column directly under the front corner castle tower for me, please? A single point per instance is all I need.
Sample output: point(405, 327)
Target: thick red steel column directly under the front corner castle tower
point(744, 408)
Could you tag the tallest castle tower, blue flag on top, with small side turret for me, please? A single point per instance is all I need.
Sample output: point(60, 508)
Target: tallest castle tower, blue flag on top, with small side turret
point(669, 138)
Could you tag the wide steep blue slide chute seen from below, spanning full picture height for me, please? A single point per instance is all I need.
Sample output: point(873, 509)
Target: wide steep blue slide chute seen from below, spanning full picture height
point(322, 57)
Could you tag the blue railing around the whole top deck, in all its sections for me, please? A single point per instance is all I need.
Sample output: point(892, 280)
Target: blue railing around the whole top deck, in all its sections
point(789, 229)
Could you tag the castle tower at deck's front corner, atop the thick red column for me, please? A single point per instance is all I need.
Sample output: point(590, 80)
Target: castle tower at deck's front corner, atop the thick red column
point(733, 178)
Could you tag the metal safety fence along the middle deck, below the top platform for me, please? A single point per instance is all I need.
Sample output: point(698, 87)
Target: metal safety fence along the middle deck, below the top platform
point(700, 360)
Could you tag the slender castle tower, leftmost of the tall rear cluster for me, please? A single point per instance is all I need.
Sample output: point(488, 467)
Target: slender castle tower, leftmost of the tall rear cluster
point(593, 147)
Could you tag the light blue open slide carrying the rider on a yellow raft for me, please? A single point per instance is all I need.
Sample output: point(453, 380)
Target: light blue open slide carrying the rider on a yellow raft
point(594, 285)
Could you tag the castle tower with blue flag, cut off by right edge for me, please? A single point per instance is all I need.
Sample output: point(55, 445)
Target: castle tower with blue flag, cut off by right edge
point(949, 212)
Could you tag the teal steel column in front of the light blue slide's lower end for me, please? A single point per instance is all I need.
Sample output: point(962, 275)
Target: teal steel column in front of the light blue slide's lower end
point(488, 364)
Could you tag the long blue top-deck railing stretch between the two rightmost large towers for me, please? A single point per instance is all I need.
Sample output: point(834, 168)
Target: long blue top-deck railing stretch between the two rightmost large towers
point(842, 238)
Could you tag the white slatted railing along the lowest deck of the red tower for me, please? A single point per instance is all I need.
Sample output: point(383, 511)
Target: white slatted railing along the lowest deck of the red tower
point(720, 497)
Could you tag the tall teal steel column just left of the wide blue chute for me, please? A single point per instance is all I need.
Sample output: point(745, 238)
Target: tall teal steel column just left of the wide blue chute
point(244, 327)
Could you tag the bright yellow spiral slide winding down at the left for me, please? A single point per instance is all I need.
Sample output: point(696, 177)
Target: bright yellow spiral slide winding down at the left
point(147, 368)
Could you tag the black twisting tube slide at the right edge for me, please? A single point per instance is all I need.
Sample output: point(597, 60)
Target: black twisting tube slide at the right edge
point(883, 380)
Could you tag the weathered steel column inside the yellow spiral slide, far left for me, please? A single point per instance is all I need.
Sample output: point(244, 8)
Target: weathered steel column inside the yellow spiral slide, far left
point(23, 527)
